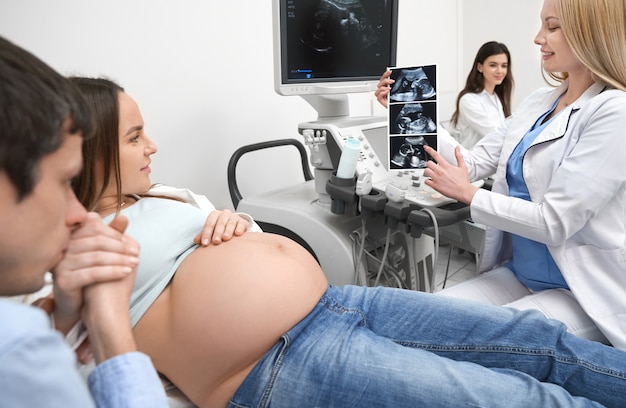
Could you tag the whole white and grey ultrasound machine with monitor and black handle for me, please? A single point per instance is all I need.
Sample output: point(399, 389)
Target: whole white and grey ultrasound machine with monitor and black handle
point(381, 226)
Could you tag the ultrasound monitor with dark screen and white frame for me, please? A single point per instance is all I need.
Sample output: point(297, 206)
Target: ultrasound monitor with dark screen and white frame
point(327, 49)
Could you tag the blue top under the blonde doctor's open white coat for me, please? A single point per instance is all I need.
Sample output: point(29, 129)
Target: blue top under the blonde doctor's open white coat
point(532, 262)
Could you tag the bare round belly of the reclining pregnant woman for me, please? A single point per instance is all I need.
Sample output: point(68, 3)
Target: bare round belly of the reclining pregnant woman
point(226, 307)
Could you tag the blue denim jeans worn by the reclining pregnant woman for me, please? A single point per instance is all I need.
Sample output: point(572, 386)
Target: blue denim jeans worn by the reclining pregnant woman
point(383, 347)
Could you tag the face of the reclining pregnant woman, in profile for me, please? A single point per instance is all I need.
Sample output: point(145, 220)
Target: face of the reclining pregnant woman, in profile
point(135, 147)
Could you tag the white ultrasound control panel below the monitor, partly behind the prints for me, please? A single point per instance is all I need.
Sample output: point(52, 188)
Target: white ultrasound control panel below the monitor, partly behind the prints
point(325, 142)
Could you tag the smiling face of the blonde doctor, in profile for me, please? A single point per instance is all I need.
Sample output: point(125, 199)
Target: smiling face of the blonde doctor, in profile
point(556, 53)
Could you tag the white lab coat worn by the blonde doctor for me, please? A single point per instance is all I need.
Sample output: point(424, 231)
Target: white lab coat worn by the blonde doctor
point(576, 176)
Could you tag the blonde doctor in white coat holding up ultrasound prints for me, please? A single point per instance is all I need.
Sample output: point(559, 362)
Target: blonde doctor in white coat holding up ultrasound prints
point(556, 214)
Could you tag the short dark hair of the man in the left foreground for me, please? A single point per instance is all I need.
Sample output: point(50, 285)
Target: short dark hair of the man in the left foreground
point(35, 102)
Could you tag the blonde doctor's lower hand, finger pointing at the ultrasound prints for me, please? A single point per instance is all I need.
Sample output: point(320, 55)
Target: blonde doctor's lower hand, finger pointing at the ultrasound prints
point(451, 181)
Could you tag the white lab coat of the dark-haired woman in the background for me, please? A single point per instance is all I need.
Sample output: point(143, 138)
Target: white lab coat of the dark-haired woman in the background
point(479, 114)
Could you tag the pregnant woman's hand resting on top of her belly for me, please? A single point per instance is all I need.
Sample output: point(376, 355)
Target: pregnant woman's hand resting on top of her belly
point(221, 226)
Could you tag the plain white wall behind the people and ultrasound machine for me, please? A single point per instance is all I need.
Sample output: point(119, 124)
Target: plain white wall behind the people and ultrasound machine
point(202, 71)
